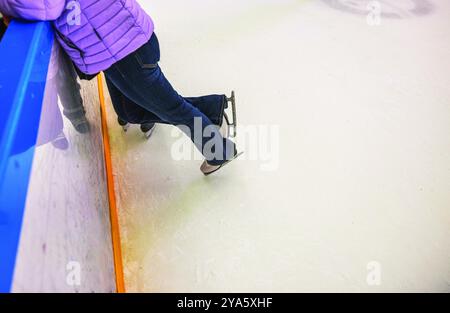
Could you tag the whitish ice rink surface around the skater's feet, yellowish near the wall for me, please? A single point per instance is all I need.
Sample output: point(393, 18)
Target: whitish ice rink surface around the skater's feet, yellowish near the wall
point(353, 178)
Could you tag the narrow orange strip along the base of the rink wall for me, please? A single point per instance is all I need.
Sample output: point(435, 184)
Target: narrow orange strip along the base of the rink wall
point(115, 230)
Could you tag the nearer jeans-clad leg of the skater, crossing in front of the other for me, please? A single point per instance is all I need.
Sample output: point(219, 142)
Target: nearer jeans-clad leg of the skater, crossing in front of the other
point(140, 79)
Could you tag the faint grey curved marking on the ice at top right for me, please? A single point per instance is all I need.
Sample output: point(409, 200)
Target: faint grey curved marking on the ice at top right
point(399, 9)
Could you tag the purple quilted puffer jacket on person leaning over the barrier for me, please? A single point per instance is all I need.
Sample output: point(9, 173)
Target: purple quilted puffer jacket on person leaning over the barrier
point(94, 33)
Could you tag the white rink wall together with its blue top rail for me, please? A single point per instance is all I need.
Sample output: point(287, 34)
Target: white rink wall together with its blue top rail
point(55, 230)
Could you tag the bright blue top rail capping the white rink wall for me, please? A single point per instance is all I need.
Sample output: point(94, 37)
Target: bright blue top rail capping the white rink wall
point(25, 52)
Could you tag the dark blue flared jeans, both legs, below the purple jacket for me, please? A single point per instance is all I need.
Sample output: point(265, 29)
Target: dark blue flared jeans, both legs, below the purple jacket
point(141, 94)
